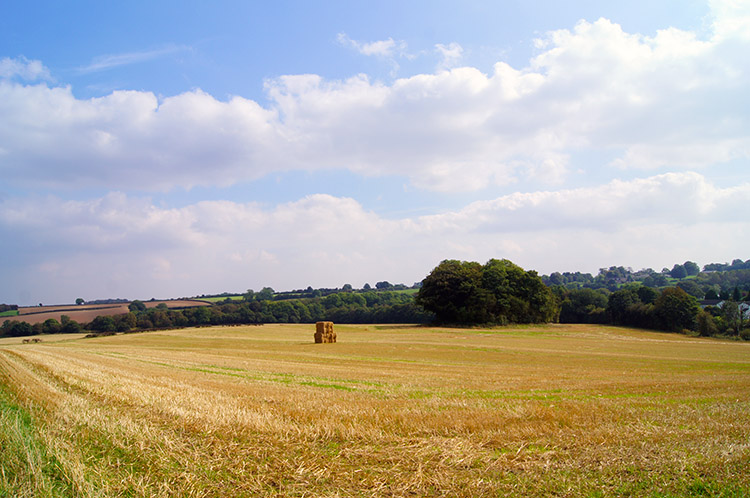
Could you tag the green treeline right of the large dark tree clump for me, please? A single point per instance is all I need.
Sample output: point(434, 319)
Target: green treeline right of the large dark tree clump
point(669, 309)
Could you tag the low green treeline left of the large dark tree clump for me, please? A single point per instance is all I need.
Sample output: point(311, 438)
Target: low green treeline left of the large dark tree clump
point(343, 307)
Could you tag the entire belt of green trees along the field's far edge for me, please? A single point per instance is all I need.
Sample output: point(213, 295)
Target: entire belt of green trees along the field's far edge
point(460, 292)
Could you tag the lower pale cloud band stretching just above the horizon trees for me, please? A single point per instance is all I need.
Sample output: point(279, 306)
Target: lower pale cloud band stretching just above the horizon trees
point(122, 242)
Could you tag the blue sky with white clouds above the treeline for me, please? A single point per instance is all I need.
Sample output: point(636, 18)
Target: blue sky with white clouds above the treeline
point(176, 148)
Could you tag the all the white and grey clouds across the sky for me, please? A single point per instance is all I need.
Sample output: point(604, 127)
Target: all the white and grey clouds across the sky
point(660, 115)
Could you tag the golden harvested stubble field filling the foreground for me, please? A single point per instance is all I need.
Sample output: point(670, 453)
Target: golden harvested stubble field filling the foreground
point(558, 410)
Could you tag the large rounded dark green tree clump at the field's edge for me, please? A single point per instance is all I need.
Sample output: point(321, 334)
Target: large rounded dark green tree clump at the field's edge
point(499, 292)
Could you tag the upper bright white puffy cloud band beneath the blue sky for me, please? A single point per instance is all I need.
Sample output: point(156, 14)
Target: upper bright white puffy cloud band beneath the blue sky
point(672, 101)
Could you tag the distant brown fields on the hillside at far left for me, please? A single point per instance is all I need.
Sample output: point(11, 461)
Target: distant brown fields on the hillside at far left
point(87, 312)
